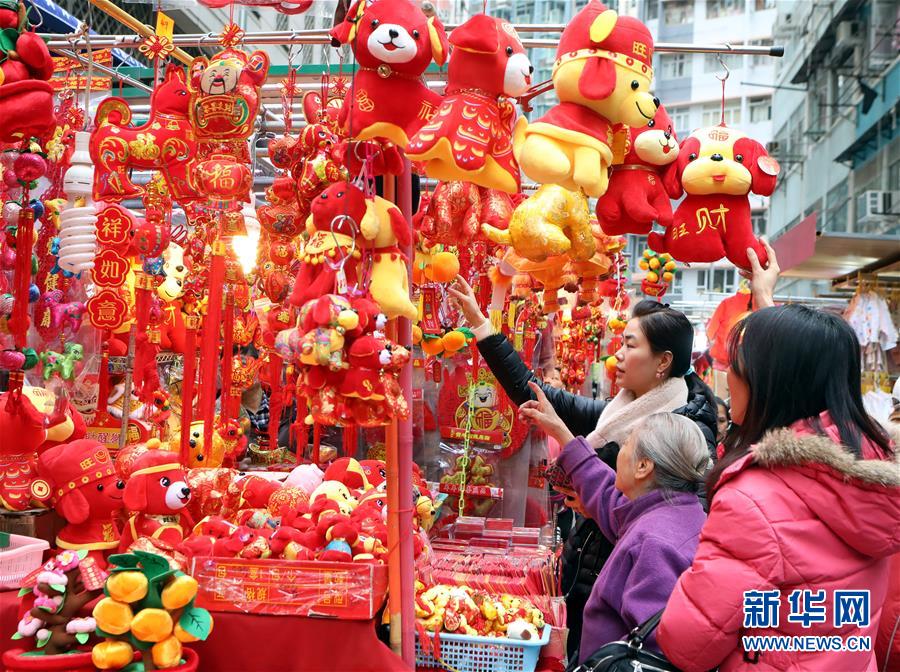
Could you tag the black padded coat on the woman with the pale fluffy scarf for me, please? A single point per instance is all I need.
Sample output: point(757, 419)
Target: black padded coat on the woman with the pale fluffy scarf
point(586, 549)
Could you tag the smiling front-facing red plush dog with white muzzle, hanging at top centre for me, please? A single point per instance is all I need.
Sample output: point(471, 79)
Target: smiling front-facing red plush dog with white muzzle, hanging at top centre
point(393, 42)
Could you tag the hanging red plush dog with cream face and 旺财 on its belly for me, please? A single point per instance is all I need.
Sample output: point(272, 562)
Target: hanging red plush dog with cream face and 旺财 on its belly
point(717, 168)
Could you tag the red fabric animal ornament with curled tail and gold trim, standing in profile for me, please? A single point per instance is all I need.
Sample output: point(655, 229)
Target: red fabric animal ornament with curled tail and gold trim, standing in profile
point(165, 143)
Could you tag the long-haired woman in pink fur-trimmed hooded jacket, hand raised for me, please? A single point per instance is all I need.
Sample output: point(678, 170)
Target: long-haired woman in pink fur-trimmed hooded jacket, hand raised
point(806, 497)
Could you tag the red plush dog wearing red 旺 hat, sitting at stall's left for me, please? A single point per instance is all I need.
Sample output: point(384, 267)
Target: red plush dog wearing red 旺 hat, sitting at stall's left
point(80, 479)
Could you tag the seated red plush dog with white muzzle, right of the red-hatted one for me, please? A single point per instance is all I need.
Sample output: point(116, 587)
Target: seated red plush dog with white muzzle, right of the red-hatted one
point(157, 494)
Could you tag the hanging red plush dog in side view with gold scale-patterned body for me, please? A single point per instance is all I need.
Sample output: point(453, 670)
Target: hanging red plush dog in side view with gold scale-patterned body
point(470, 135)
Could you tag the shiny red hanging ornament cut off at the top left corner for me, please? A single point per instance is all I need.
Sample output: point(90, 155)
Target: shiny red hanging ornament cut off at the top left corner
point(26, 99)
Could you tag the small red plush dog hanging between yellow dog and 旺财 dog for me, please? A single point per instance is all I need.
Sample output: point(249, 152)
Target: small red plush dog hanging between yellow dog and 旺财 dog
point(637, 194)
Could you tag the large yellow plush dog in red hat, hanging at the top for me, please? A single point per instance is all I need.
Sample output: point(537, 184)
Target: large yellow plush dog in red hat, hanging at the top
point(602, 77)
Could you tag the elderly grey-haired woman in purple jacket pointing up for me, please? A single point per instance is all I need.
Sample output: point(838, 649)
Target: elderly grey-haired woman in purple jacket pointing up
point(648, 507)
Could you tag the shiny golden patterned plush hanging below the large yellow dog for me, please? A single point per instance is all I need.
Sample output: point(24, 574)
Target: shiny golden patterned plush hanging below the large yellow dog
point(552, 222)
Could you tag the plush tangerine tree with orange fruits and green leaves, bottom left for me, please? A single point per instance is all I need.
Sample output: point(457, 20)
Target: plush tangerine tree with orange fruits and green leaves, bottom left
point(148, 607)
